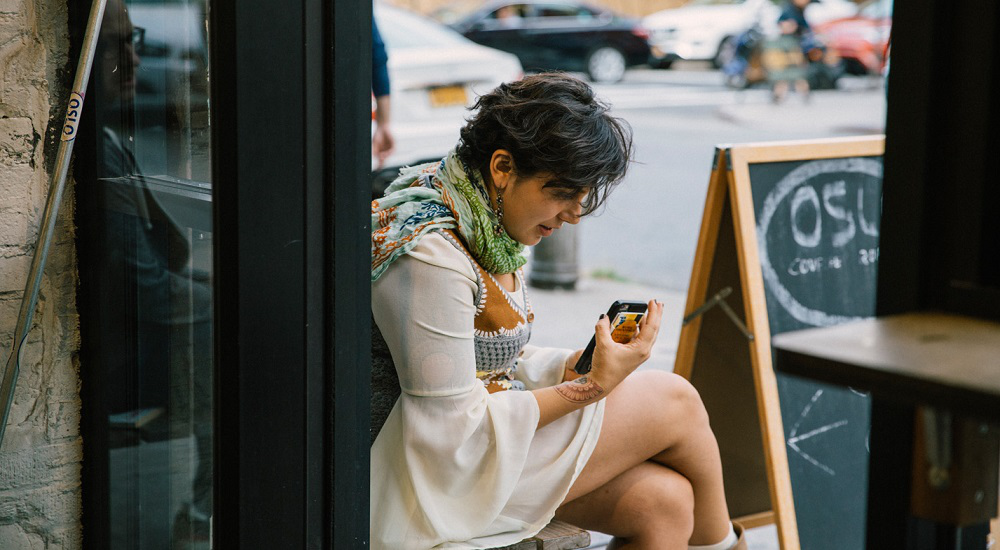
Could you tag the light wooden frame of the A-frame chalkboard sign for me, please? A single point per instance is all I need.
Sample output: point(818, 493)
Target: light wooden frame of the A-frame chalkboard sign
point(730, 197)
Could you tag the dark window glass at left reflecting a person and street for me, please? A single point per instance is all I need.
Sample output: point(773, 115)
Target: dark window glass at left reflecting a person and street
point(153, 262)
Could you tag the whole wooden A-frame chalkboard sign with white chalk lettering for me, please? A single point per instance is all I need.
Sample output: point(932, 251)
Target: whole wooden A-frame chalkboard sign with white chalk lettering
point(789, 240)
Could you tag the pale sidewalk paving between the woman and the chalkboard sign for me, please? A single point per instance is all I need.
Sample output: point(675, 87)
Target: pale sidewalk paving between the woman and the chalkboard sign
point(566, 319)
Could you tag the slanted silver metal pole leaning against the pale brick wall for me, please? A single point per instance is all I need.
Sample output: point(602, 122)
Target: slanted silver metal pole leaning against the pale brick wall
point(46, 228)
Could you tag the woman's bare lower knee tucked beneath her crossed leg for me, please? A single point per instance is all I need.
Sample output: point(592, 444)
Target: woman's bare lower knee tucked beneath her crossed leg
point(647, 506)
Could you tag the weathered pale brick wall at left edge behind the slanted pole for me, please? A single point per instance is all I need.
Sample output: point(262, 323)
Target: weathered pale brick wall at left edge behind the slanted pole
point(41, 453)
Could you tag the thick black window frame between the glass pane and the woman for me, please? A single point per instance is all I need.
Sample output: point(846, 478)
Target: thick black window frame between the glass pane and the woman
point(290, 95)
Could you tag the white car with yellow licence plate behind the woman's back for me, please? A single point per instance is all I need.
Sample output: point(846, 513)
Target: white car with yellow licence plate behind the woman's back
point(435, 74)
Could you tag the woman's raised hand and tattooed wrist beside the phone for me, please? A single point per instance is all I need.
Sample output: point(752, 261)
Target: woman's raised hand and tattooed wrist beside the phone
point(612, 362)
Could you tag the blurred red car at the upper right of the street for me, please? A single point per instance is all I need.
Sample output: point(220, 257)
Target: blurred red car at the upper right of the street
point(861, 41)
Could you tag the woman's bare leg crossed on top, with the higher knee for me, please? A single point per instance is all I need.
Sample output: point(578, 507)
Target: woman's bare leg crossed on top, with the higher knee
point(659, 416)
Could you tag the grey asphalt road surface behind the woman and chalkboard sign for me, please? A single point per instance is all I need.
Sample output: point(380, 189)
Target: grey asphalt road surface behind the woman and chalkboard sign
point(648, 229)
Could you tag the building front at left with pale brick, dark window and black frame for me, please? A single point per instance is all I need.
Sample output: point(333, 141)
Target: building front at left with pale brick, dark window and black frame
point(180, 383)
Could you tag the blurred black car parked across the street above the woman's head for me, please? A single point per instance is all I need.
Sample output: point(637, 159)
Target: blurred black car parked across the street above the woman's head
point(553, 34)
